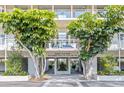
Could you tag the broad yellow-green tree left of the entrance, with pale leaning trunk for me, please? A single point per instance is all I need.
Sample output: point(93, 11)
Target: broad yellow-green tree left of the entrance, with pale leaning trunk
point(32, 29)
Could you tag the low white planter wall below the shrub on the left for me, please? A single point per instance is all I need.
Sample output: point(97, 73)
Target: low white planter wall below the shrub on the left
point(14, 78)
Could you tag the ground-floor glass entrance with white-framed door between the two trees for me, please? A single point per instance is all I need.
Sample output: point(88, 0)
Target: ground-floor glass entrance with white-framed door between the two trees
point(60, 66)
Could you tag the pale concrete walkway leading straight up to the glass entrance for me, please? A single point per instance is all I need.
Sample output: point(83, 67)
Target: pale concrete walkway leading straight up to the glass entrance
point(63, 81)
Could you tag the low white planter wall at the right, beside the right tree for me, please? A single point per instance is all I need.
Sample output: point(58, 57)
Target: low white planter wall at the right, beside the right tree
point(110, 78)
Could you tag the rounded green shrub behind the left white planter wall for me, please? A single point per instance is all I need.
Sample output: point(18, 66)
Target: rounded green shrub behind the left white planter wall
point(15, 65)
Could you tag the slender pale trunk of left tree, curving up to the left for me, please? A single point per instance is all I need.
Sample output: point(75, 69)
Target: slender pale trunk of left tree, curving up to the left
point(33, 59)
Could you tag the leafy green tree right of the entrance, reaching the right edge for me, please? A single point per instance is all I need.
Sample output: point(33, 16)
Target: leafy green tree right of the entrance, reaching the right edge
point(95, 33)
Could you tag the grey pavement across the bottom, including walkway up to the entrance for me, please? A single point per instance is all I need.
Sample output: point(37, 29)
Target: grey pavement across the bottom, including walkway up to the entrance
point(63, 81)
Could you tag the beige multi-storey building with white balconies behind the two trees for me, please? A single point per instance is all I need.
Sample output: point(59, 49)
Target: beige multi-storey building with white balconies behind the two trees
point(62, 52)
